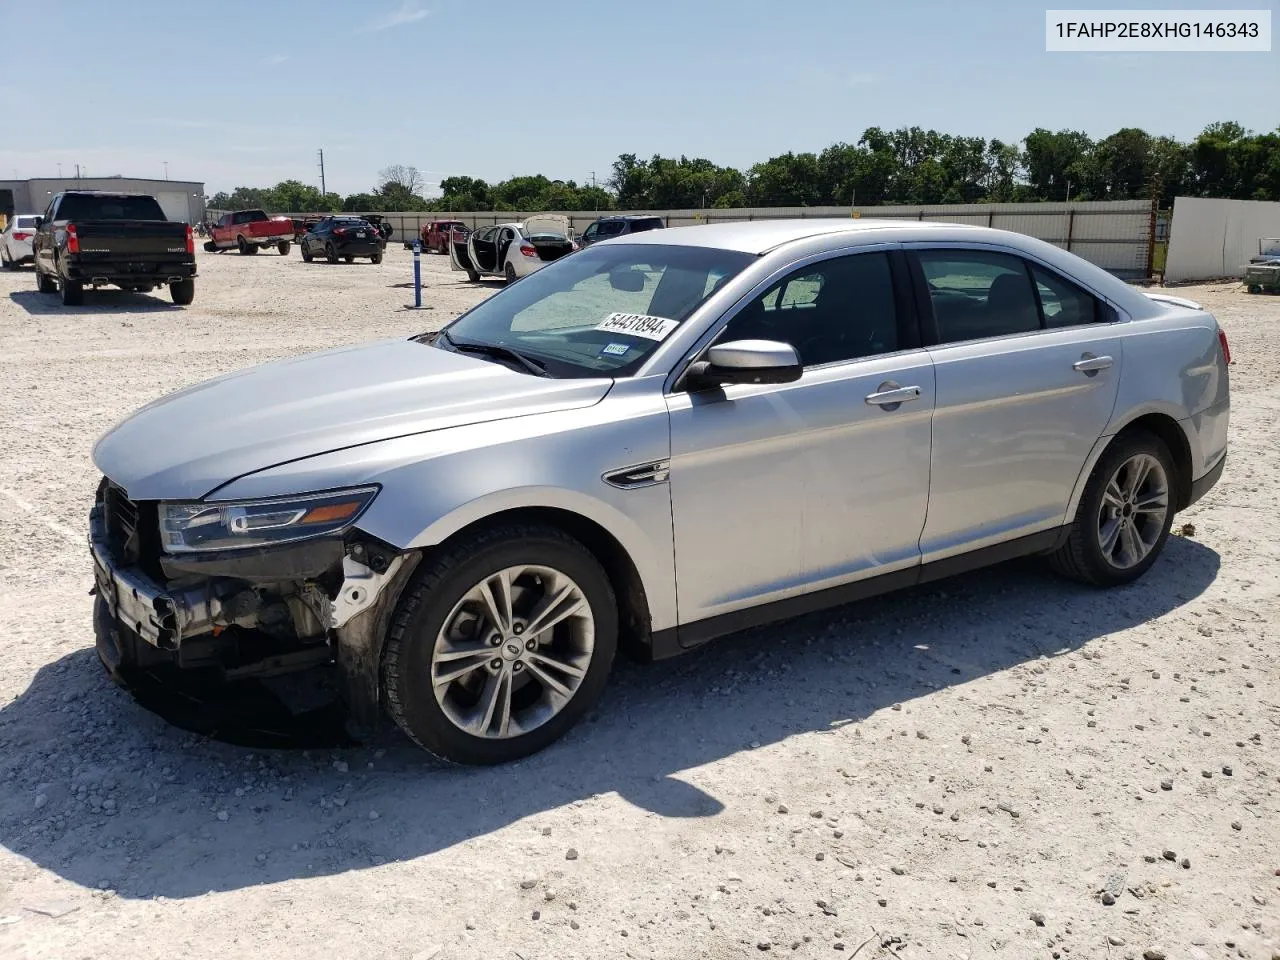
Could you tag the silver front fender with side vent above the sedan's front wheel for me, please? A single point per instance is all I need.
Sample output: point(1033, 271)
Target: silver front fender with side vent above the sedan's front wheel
point(436, 484)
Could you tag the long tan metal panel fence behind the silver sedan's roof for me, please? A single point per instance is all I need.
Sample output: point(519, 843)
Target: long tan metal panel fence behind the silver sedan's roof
point(1118, 236)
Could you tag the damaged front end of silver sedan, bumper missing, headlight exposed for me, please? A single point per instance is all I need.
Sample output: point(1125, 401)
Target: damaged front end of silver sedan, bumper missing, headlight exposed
point(245, 591)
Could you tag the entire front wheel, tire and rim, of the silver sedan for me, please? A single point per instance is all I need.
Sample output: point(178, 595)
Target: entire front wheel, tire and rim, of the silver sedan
point(501, 644)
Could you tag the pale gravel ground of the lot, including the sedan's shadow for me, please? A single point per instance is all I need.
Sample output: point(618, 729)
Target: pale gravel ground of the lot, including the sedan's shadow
point(998, 766)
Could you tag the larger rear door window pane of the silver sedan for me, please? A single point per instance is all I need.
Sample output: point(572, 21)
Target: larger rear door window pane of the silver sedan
point(977, 295)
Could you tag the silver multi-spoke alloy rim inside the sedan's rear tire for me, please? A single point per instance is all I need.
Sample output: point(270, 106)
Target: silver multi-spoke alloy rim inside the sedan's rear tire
point(1133, 513)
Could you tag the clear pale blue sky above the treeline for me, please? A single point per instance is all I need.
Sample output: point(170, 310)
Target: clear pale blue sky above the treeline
point(237, 93)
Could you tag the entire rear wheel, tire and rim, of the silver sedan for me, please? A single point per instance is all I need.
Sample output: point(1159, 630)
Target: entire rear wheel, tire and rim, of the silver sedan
point(1123, 522)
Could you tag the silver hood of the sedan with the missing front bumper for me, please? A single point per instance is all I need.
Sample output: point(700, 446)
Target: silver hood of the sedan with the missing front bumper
point(193, 442)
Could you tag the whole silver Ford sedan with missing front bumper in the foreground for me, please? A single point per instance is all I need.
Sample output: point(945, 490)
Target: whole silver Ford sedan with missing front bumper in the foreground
point(648, 445)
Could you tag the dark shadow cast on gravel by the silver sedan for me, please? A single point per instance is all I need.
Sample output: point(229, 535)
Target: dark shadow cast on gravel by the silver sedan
point(104, 793)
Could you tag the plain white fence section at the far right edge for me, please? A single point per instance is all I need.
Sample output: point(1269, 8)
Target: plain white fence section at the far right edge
point(1215, 239)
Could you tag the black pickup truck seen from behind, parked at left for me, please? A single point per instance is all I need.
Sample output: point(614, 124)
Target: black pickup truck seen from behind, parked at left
point(97, 239)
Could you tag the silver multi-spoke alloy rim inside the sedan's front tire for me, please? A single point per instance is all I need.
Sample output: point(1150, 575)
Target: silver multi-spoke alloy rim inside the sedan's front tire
point(513, 652)
